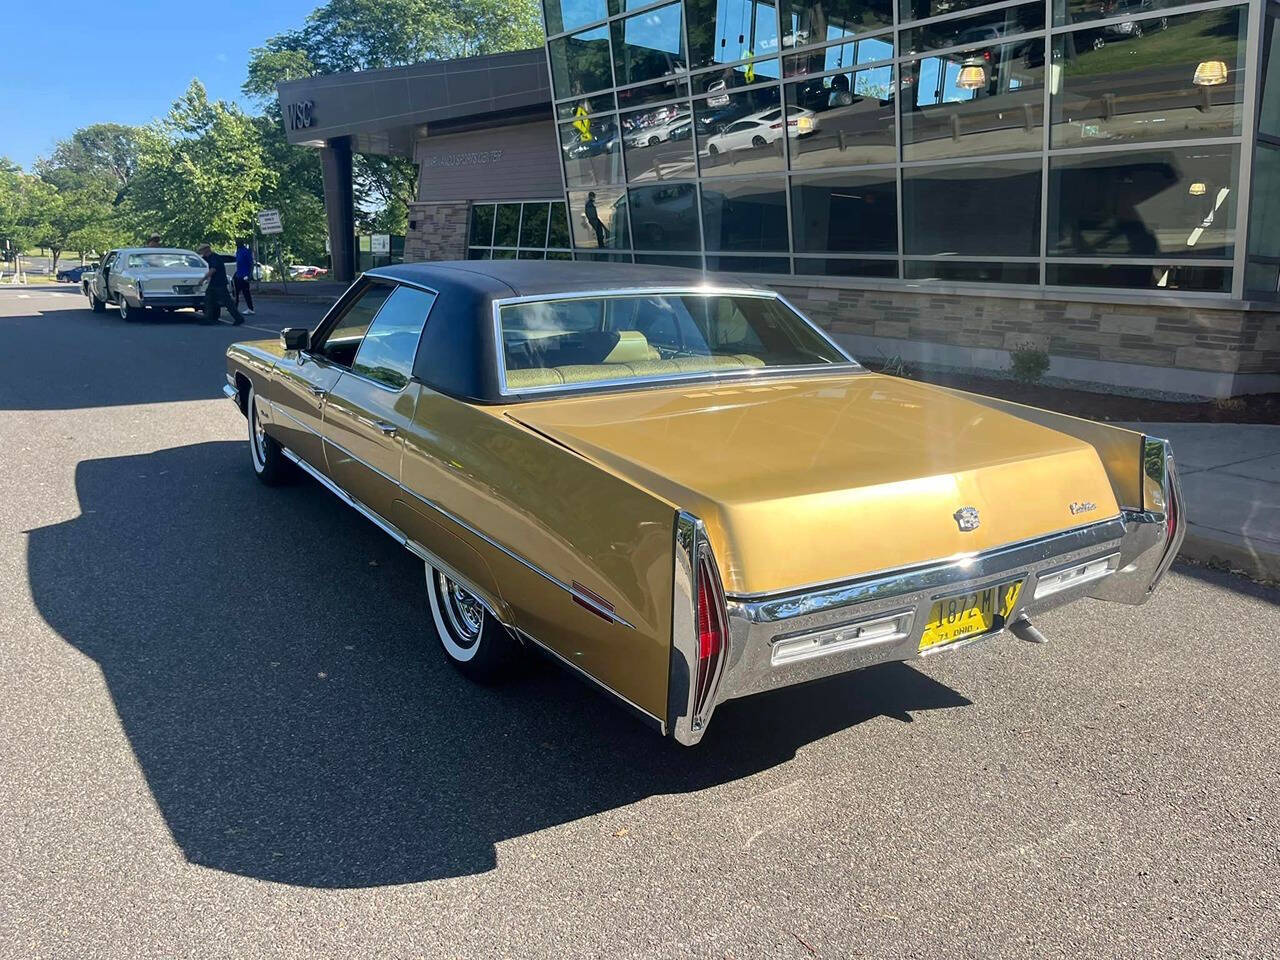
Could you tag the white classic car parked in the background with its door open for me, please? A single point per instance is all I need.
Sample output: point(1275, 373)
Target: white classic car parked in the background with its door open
point(138, 280)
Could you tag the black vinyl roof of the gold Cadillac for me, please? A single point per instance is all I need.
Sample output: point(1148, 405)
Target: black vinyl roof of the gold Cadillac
point(458, 354)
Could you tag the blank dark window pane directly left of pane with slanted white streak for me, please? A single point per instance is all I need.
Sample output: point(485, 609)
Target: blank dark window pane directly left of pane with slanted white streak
point(986, 209)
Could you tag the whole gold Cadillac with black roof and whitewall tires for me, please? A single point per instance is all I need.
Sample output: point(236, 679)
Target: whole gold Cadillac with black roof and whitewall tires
point(682, 488)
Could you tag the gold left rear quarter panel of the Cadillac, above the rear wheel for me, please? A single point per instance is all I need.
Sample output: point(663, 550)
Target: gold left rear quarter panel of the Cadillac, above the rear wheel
point(570, 518)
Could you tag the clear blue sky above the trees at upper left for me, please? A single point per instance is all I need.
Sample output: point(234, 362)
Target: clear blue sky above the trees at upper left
point(72, 65)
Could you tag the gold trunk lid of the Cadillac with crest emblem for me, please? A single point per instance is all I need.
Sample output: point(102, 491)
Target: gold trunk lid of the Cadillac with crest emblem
point(804, 482)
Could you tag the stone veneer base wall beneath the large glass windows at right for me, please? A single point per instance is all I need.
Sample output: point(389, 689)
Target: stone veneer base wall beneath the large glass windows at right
point(1187, 339)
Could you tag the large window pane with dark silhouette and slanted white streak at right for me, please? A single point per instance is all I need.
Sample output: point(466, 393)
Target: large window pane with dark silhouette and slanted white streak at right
point(1174, 203)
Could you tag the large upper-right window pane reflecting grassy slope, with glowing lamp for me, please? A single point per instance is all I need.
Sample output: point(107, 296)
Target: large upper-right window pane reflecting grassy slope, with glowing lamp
point(1168, 79)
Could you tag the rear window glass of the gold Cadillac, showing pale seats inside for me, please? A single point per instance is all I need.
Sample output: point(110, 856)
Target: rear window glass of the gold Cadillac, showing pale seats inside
point(559, 344)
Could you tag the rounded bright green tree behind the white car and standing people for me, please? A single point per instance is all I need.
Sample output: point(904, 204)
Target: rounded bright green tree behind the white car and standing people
point(200, 176)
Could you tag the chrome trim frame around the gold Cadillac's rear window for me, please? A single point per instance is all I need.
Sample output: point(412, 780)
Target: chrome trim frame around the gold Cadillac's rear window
point(852, 365)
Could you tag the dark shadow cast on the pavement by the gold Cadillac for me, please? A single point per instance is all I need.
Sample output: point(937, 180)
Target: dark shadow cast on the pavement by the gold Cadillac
point(268, 657)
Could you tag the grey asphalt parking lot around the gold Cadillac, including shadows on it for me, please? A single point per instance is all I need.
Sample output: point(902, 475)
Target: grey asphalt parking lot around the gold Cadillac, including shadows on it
point(223, 734)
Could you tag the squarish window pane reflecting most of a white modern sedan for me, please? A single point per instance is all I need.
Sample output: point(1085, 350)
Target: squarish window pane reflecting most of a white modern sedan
point(739, 134)
